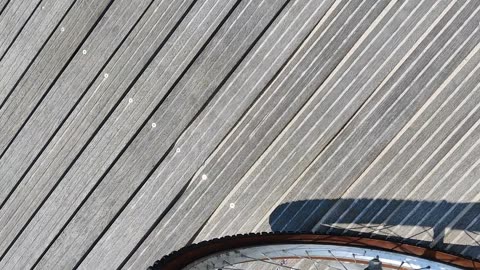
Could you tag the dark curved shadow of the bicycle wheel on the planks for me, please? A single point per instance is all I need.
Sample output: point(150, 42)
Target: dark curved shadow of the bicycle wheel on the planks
point(441, 224)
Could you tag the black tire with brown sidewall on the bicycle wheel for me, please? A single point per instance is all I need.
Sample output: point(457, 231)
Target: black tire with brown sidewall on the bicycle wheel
point(189, 254)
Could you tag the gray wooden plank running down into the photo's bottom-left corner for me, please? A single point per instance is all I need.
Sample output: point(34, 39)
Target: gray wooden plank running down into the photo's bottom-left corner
point(117, 131)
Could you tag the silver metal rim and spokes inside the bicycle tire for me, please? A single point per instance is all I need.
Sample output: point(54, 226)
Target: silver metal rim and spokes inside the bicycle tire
point(312, 256)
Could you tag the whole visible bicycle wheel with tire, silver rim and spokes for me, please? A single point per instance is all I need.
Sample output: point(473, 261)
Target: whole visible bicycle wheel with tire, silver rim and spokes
point(309, 251)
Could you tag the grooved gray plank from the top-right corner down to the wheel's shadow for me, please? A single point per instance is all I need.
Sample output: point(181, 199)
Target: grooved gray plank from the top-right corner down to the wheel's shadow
point(445, 54)
